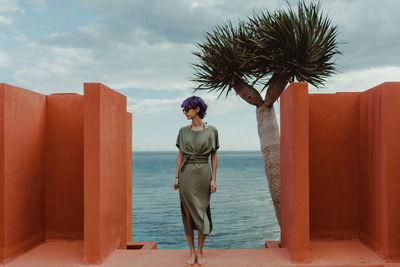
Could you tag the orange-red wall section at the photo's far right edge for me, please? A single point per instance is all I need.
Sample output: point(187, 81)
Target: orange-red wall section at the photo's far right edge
point(380, 169)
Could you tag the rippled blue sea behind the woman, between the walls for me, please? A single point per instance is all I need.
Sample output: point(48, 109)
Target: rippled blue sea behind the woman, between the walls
point(241, 209)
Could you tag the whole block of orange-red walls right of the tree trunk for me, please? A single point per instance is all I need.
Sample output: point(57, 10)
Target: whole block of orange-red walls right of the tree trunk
point(339, 167)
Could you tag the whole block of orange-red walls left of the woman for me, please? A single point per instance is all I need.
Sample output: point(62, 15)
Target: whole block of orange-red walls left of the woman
point(65, 164)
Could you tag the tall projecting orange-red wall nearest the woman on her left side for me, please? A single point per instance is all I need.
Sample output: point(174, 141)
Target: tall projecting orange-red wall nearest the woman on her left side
point(105, 172)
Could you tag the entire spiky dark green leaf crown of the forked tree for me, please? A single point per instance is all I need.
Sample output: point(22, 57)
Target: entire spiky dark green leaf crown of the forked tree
point(295, 44)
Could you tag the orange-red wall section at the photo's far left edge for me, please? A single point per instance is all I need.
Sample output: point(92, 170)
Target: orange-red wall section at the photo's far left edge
point(22, 135)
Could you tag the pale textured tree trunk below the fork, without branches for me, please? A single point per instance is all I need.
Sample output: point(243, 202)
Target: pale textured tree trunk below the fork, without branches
point(268, 132)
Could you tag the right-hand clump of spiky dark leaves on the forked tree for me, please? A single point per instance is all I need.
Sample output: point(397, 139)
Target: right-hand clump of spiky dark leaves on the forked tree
point(295, 44)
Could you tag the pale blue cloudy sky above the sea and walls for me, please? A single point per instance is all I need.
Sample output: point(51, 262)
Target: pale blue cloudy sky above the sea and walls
point(143, 49)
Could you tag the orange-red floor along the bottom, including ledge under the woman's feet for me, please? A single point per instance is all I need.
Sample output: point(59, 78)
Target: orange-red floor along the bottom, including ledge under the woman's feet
point(323, 253)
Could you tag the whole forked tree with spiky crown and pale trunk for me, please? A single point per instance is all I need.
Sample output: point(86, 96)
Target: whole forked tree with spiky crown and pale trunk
point(271, 49)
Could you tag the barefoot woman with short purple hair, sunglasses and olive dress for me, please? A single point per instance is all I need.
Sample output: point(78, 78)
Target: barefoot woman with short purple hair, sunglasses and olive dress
point(194, 178)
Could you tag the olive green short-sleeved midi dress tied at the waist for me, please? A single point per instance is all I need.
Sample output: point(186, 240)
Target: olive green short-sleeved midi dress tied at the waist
point(195, 175)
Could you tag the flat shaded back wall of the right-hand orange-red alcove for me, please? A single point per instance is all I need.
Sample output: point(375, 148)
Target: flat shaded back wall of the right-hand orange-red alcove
point(334, 177)
